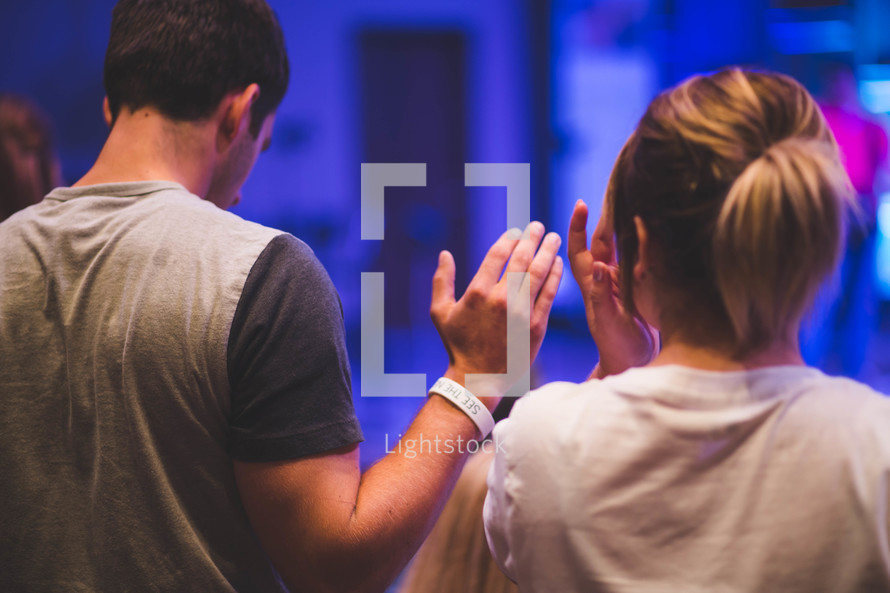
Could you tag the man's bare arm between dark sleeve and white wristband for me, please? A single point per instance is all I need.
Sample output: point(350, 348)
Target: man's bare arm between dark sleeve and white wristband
point(329, 529)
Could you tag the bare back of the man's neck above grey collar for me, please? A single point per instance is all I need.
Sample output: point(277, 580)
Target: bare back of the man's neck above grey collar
point(144, 145)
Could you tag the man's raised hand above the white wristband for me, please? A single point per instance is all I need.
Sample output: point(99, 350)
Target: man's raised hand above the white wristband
point(474, 328)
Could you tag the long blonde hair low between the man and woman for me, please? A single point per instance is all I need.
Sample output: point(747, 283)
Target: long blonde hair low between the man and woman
point(455, 557)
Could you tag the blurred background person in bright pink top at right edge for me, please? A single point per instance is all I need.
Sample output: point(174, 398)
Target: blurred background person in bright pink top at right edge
point(836, 339)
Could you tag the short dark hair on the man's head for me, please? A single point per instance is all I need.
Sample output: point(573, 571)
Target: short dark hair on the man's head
point(183, 56)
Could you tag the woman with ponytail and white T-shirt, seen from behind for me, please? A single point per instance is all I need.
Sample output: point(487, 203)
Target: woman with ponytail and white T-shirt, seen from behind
point(719, 462)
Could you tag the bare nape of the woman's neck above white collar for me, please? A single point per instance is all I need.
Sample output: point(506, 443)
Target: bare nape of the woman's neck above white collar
point(680, 352)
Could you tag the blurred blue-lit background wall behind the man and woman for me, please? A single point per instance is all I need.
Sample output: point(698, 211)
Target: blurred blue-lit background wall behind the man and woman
point(558, 84)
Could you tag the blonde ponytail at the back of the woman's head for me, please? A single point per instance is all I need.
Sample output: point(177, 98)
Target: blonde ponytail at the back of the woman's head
point(778, 235)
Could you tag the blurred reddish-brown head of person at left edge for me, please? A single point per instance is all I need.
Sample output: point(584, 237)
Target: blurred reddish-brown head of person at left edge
point(29, 166)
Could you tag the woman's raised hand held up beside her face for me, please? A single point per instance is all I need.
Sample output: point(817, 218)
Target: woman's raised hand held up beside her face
point(622, 339)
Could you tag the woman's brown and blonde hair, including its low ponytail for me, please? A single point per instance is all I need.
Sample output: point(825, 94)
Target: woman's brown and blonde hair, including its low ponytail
point(738, 181)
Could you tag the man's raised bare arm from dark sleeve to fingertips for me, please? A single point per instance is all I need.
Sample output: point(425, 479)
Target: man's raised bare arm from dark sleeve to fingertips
point(326, 526)
